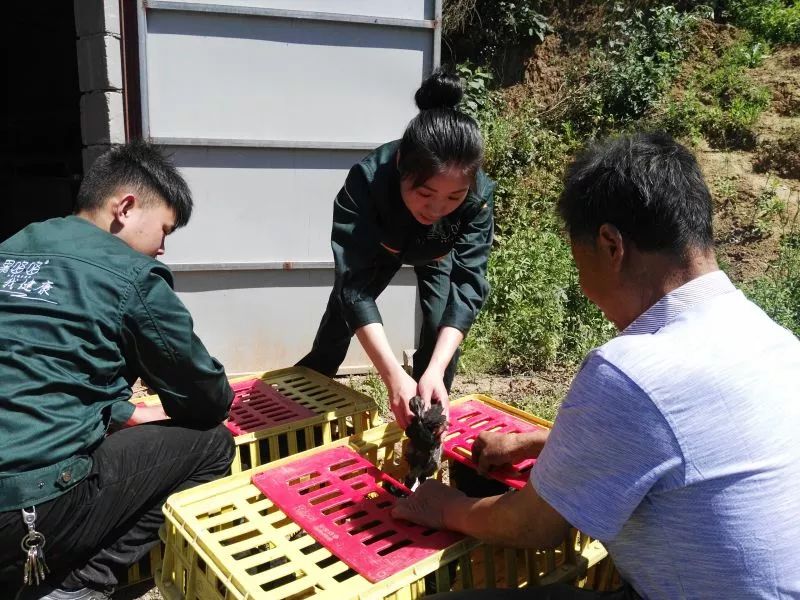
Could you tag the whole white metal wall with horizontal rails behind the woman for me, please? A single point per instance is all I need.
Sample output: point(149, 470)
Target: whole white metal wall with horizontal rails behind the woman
point(265, 105)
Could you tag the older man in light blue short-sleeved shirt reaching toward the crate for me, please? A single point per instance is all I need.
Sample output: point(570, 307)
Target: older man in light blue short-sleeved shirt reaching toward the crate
point(677, 445)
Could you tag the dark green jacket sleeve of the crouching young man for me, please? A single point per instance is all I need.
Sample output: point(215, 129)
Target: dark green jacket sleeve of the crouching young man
point(160, 344)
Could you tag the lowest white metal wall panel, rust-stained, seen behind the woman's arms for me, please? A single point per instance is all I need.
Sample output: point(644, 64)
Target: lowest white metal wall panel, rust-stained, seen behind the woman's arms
point(250, 319)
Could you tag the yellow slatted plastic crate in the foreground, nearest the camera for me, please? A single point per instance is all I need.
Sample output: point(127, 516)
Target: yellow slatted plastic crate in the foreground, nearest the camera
point(227, 541)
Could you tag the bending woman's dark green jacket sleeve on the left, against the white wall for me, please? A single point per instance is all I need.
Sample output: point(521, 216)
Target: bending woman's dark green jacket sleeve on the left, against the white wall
point(355, 244)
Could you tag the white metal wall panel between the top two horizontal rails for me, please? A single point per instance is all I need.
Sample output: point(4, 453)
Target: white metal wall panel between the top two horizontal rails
point(260, 78)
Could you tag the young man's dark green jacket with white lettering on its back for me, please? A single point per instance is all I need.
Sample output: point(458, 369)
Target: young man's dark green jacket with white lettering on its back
point(82, 316)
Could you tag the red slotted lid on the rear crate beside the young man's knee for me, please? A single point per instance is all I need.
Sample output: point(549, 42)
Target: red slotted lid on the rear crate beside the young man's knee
point(257, 405)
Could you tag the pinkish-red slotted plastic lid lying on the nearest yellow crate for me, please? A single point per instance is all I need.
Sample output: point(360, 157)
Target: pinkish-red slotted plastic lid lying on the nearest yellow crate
point(336, 496)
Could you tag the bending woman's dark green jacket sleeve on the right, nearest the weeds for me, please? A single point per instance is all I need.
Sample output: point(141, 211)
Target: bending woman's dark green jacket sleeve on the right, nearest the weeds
point(468, 285)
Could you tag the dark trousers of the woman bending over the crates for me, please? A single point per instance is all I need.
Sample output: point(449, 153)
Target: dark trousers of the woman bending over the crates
point(333, 336)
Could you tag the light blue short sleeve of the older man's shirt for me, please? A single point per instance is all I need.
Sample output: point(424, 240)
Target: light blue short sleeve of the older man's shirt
point(609, 447)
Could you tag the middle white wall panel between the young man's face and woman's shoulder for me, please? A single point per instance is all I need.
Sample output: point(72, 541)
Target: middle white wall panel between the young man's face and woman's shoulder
point(259, 205)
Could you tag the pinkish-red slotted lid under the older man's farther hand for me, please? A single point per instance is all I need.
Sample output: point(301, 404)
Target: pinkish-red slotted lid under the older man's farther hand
point(469, 419)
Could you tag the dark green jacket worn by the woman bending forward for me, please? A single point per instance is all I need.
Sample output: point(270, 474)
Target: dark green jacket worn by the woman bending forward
point(374, 234)
